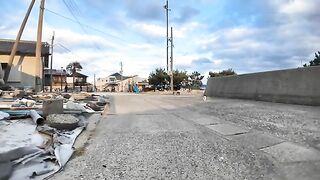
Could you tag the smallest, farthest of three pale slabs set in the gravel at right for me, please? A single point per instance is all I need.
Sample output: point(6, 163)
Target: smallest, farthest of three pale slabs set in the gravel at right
point(227, 129)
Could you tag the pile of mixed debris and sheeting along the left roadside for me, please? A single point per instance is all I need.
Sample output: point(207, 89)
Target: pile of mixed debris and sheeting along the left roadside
point(37, 131)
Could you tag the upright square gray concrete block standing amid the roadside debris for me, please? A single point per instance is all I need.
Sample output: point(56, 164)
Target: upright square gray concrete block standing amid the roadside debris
point(52, 107)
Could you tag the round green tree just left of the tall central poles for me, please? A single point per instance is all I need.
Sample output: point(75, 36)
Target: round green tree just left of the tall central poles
point(159, 77)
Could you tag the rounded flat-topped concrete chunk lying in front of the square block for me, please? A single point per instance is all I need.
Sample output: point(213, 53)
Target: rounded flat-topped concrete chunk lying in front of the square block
point(62, 121)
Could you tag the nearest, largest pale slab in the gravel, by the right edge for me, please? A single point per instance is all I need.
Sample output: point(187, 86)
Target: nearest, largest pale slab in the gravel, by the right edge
point(289, 152)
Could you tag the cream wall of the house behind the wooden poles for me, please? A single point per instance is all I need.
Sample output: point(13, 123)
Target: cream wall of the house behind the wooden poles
point(23, 66)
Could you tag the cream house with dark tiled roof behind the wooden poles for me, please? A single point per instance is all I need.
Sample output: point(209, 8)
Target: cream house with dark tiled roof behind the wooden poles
point(23, 71)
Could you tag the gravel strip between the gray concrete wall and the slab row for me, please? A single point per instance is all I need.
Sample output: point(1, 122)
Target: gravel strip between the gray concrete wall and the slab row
point(300, 124)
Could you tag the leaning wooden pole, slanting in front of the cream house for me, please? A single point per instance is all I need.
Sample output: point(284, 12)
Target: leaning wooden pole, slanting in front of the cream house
point(15, 45)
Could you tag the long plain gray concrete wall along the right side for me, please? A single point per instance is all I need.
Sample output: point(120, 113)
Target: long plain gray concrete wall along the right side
point(295, 86)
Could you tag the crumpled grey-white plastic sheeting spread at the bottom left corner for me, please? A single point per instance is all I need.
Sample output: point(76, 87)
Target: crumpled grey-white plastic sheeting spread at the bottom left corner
point(34, 152)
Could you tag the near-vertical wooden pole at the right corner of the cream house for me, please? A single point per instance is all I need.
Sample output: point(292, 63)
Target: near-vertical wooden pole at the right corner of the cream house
point(39, 68)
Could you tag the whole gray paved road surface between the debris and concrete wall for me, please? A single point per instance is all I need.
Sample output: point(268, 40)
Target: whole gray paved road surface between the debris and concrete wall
point(182, 137)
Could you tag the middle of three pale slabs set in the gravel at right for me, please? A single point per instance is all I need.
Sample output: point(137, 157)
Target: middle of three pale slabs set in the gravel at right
point(256, 140)
